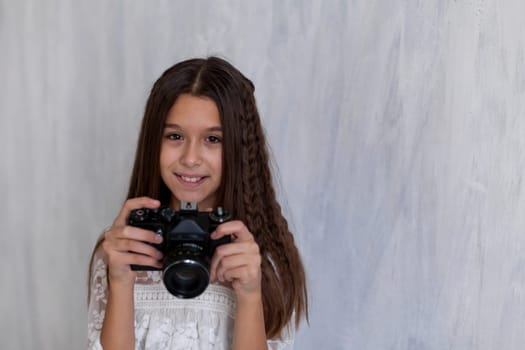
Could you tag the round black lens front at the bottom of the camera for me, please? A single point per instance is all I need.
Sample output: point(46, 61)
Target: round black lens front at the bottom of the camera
point(186, 278)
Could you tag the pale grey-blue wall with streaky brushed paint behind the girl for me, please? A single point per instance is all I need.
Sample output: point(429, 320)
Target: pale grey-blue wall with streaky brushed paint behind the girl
point(397, 127)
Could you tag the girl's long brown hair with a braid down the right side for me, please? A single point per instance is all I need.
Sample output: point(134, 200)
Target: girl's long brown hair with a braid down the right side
point(246, 190)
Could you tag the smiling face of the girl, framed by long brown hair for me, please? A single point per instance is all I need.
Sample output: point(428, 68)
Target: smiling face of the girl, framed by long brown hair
point(191, 151)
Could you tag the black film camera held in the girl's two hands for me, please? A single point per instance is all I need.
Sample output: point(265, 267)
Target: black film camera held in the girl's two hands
point(186, 245)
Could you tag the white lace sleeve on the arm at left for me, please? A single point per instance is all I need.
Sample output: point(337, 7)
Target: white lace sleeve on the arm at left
point(97, 301)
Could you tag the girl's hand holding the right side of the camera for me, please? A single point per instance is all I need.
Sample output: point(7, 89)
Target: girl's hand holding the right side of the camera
point(238, 262)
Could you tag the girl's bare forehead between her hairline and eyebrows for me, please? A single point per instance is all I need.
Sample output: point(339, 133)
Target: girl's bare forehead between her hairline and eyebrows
point(195, 110)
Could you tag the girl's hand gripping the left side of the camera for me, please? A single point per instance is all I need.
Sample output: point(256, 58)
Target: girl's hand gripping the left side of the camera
point(127, 245)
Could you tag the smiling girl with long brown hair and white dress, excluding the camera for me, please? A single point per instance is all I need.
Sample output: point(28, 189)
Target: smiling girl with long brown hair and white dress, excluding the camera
point(201, 141)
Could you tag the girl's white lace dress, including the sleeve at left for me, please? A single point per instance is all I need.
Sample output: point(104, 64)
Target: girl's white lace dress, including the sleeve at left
point(164, 322)
